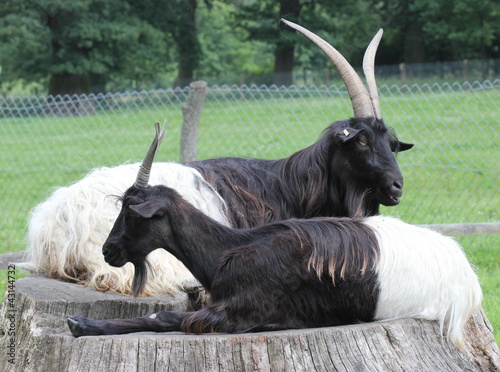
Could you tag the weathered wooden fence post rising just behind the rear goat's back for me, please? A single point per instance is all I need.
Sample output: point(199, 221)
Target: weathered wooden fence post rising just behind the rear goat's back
point(191, 110)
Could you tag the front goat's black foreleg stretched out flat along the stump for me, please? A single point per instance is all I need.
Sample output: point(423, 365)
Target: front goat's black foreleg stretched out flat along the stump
point(163, 321)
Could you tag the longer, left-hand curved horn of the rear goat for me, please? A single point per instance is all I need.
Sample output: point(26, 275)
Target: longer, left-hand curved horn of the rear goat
point(360, 99)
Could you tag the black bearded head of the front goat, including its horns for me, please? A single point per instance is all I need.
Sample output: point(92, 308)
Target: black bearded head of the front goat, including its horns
point(135, 233)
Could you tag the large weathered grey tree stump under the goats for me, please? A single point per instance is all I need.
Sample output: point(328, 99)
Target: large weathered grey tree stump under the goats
point(36, 338)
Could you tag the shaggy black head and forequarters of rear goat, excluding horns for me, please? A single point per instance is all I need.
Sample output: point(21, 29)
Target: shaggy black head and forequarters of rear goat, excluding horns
point(338, 176)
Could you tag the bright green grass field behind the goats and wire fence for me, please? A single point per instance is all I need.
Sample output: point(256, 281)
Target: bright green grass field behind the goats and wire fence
point(450, 176)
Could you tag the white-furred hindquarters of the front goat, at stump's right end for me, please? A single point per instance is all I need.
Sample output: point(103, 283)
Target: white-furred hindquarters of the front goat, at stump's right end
point(424, 274)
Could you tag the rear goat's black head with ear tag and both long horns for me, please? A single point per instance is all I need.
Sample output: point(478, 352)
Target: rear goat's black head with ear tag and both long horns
point(366, 142)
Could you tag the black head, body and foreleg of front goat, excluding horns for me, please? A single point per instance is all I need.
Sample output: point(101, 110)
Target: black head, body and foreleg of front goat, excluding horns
point(289, 274)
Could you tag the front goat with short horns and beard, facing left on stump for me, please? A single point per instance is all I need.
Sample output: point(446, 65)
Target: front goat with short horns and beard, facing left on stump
point(288, 274)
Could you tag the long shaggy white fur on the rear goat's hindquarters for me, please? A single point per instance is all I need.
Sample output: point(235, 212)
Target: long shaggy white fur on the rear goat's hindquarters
point(66, 232)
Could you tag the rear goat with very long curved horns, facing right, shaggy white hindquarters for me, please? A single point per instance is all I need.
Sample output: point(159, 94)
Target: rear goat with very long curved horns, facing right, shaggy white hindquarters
point(351, 164)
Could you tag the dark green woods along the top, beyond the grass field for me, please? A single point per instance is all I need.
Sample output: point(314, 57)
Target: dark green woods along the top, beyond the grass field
point(54, 47)
